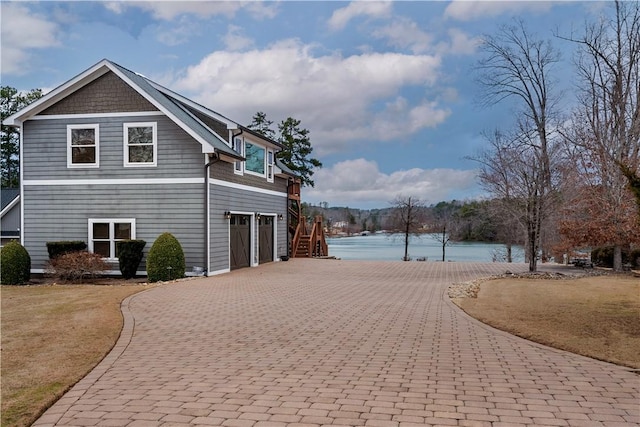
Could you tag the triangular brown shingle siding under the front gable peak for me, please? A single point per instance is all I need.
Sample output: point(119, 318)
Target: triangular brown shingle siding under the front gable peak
point(106, 94)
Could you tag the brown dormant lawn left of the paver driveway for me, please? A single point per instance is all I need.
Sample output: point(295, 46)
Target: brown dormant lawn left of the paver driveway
point(53, 335)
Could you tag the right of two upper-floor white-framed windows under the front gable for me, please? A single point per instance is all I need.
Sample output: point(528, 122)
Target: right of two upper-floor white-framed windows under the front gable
point(140, 144)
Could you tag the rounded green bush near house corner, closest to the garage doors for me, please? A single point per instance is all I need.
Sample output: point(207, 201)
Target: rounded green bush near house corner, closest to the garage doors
point(165, 260)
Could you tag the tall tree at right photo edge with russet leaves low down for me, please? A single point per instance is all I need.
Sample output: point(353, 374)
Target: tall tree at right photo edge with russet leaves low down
point(604, 135)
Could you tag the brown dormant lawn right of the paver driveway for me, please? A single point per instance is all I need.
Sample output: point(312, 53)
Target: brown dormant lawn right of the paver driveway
point(595, 316)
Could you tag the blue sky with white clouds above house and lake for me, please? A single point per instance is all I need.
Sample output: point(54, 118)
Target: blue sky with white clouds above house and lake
point(386, 89)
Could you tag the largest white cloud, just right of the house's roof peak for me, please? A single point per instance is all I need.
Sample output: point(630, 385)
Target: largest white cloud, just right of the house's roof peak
point(337, 98)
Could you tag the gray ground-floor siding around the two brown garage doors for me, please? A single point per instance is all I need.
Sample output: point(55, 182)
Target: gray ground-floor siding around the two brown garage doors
point(232, 199)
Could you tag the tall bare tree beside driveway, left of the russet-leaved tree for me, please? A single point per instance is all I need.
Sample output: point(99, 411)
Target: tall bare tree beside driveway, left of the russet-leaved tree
point(518, 66)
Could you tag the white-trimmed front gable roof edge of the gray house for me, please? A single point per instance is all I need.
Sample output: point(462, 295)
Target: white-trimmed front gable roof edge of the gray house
point(211, 142)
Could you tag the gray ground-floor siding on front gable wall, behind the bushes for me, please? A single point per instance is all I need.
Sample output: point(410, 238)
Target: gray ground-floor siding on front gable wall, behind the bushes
point(62, 213)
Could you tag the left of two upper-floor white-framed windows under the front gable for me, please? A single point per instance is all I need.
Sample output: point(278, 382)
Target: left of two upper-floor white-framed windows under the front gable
point(83, 146)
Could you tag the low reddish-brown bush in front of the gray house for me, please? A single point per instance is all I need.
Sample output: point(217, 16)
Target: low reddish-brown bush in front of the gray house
point(76, 266)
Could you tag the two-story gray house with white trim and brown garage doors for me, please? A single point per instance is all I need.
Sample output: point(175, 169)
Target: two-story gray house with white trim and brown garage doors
point(111, 155)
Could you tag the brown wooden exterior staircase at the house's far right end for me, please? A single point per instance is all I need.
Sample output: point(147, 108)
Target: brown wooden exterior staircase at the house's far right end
point(306, 241)
